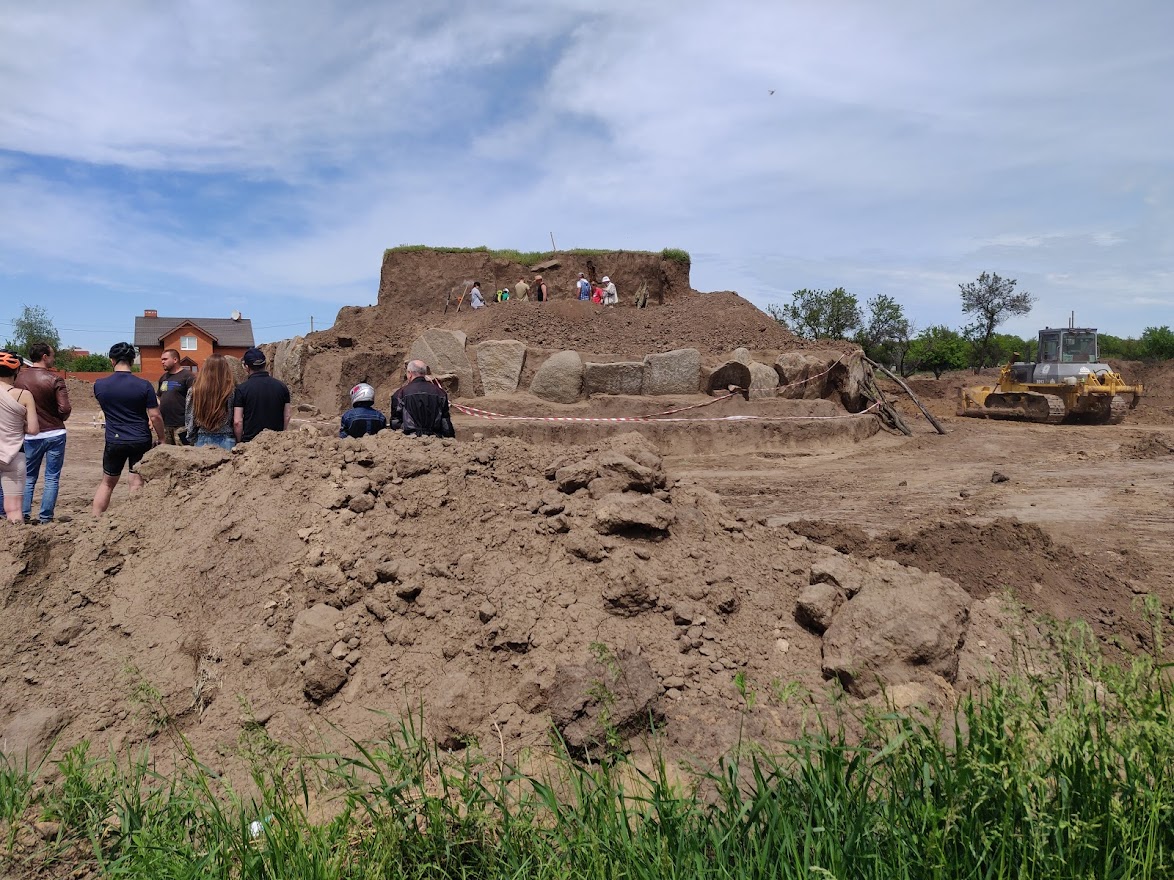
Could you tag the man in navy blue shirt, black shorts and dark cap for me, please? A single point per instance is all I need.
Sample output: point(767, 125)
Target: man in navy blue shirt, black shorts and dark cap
point(132, 414)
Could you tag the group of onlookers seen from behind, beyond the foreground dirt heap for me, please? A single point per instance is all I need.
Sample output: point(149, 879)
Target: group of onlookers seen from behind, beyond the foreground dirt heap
point(205, 409)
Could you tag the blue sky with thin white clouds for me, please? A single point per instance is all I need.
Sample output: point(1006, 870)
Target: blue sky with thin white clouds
point(203, 157)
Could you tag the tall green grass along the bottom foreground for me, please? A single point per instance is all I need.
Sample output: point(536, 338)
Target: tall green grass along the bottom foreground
point(1062, 779)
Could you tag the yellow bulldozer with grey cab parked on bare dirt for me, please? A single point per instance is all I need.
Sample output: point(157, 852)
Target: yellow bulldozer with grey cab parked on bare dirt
point(1067, 383)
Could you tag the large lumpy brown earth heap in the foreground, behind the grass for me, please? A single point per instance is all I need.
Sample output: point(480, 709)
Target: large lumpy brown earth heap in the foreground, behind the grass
point(303, 583)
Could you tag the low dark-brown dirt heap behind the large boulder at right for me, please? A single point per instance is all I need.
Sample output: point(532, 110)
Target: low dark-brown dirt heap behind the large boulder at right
point(1008, 556)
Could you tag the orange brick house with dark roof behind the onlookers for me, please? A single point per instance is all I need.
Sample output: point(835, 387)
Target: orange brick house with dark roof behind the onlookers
point(194, 339)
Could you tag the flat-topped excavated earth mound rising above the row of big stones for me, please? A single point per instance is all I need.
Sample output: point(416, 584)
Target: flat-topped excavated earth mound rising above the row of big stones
point(370, 344)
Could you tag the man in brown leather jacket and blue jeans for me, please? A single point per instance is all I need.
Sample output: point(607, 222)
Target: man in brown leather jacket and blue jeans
point(53, 408)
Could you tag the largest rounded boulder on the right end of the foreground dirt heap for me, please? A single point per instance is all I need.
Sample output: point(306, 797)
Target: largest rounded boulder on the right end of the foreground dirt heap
point(906, 624)
